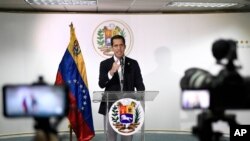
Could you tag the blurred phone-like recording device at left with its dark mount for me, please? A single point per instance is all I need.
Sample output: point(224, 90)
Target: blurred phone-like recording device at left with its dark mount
point(47, 104)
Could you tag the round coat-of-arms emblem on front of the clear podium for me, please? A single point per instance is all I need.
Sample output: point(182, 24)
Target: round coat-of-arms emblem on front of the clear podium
point(126, 116)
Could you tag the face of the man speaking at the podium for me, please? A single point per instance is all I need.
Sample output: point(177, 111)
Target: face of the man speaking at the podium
point(118, 48)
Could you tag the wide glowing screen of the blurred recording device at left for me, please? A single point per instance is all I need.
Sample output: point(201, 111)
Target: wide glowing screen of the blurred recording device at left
point(34, 101)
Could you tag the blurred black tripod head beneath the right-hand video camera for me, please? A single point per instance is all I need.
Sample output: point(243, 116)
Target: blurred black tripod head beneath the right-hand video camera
point(204, 129)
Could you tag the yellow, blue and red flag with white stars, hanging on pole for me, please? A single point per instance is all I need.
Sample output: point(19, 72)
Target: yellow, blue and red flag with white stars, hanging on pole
point(72, 72)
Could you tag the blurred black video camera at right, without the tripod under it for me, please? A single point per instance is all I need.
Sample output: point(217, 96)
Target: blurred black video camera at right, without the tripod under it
point(227, 90)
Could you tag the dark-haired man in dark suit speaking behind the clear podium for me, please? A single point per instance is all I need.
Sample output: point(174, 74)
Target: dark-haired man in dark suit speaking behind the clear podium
point(118, 73)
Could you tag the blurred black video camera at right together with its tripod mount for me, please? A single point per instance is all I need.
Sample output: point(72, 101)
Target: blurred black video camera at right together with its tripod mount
point(215, 94)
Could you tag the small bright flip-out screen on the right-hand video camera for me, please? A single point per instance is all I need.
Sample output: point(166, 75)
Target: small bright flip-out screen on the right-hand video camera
point(195, 99)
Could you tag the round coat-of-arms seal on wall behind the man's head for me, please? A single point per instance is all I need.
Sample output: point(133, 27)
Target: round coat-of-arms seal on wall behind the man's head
point(105, 31)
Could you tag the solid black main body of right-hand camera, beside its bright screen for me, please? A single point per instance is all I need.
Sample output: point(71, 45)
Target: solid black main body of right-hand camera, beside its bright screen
point(229, 90)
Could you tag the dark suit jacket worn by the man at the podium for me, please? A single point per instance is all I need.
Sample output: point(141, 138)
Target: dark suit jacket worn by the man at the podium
point(132, 78)
